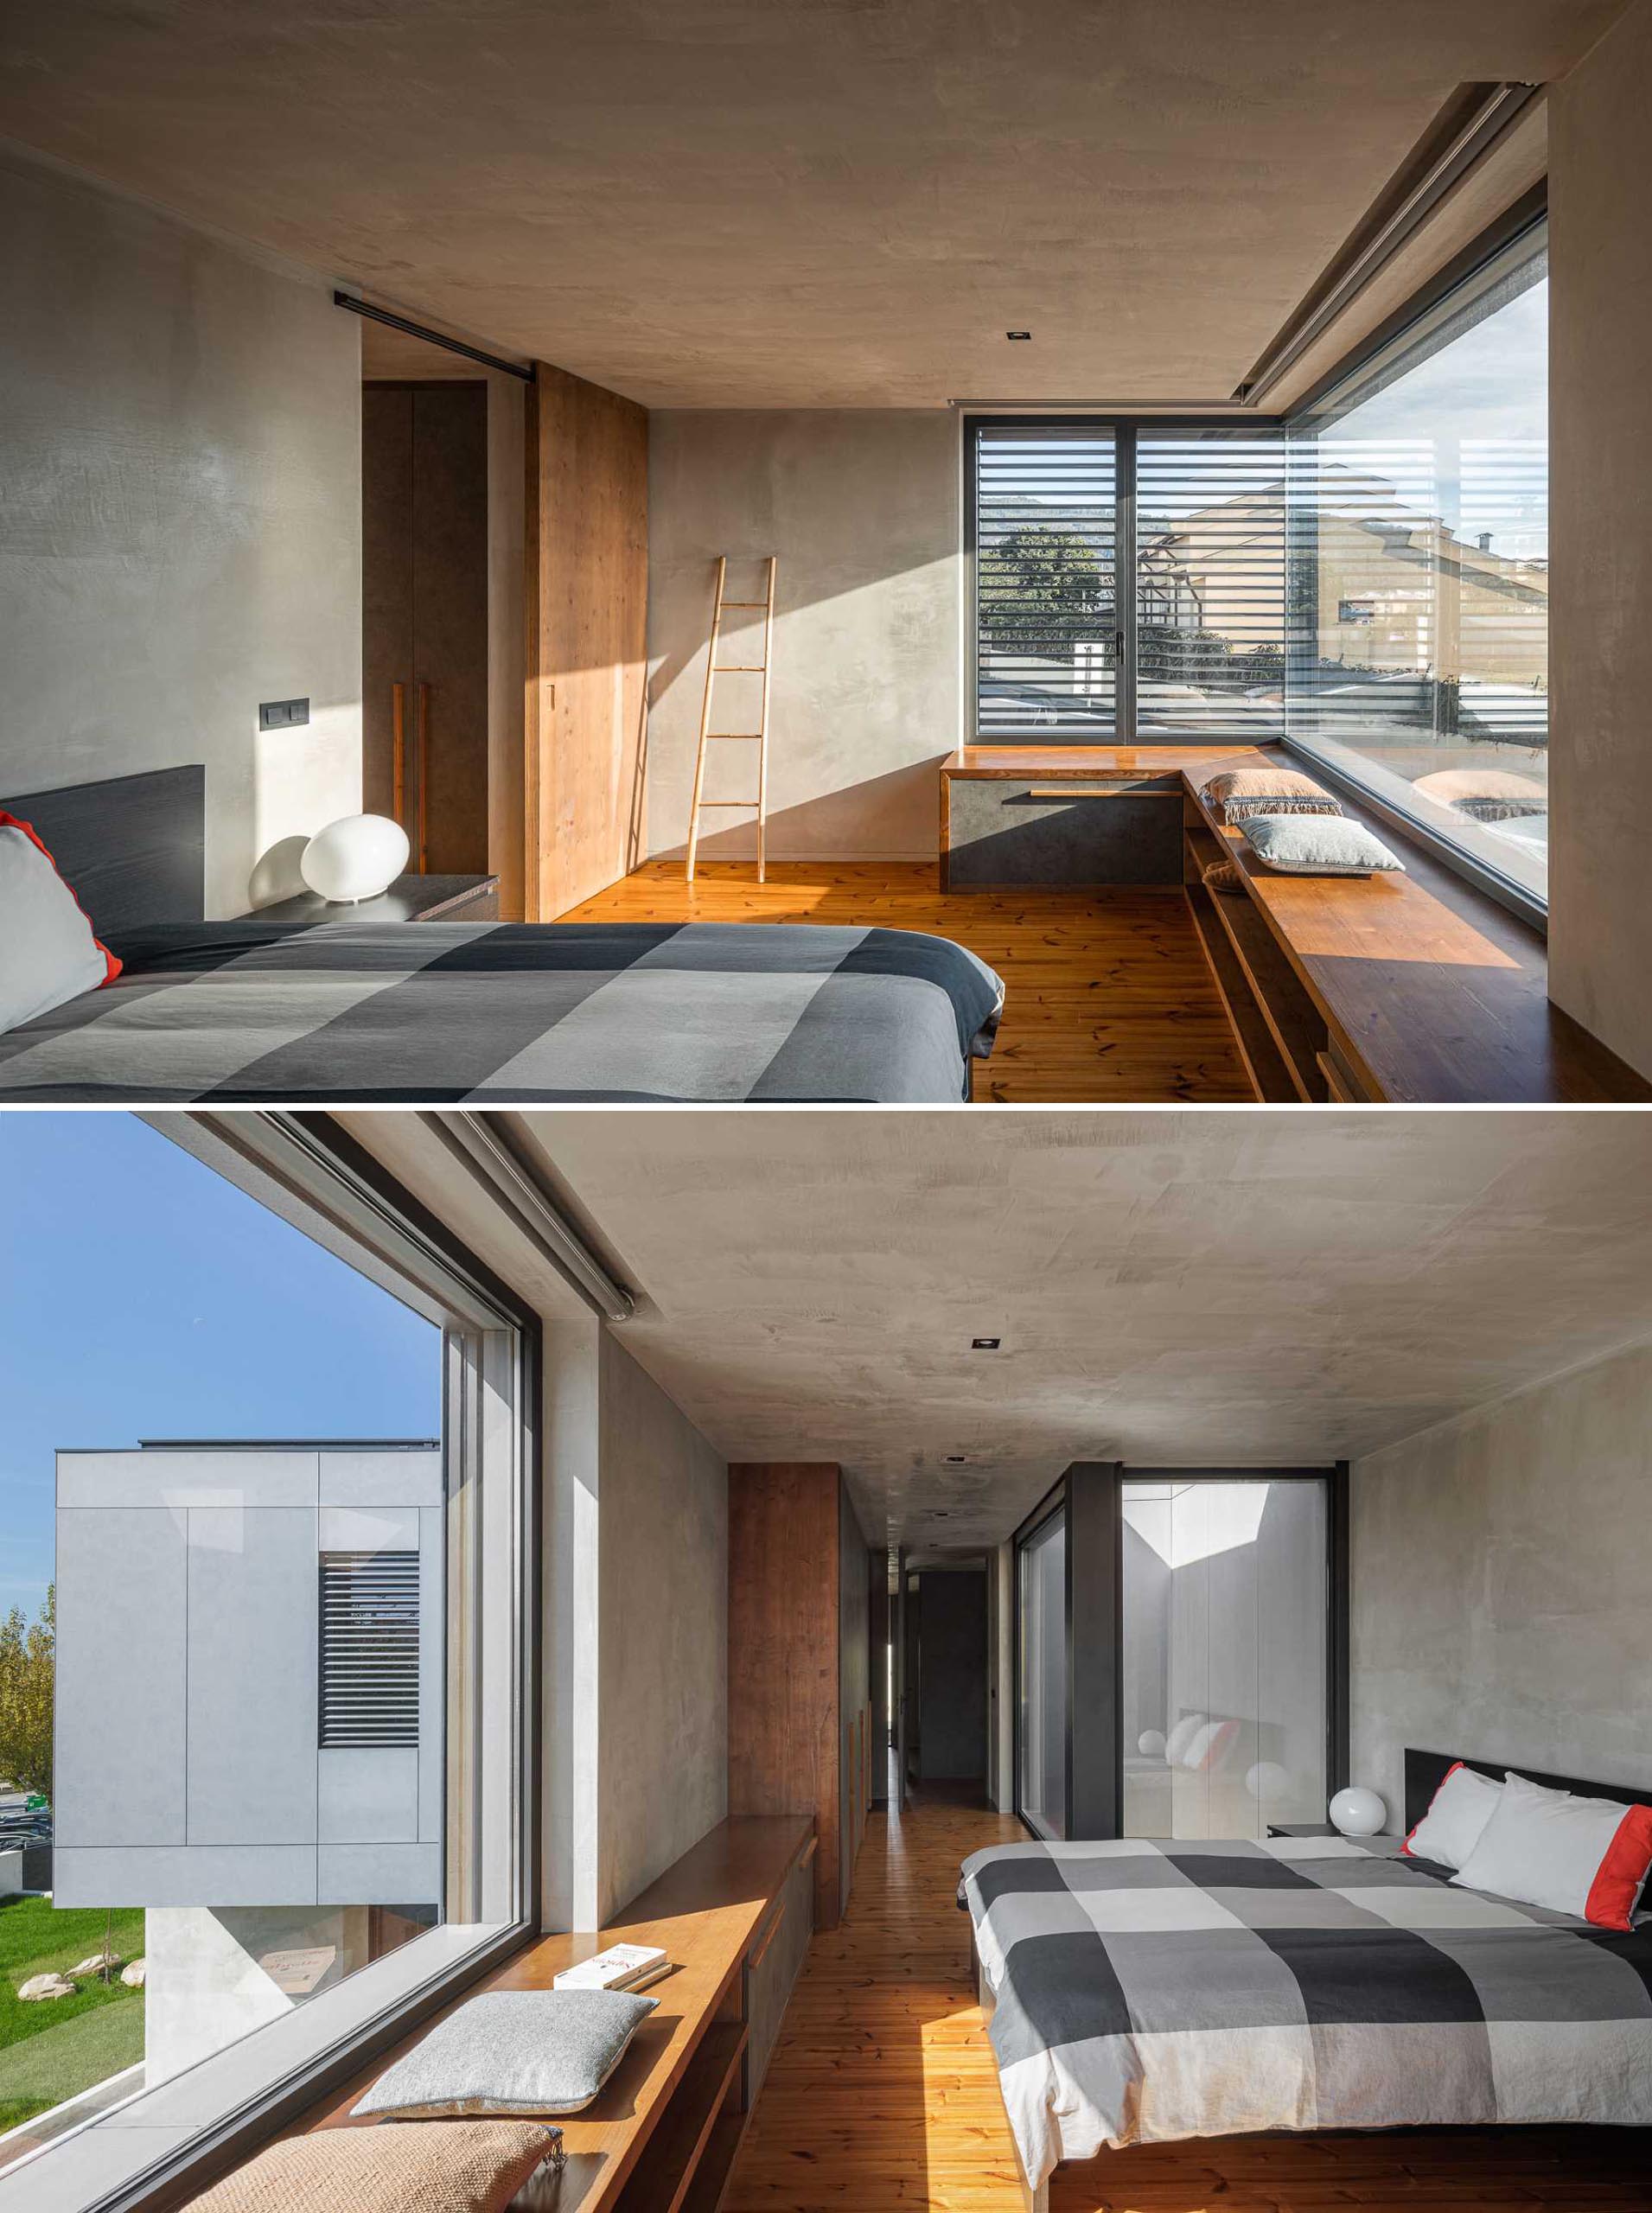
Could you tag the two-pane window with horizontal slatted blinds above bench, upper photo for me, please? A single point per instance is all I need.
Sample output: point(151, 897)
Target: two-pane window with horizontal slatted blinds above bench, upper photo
point(1190, 517)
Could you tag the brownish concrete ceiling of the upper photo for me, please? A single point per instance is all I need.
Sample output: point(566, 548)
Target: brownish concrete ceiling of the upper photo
point(789, 202)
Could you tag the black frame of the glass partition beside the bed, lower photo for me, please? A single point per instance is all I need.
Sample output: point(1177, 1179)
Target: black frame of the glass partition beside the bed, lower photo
point(1093, 1497)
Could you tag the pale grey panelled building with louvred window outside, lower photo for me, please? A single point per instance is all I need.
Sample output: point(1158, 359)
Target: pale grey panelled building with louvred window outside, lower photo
point(249, 1716)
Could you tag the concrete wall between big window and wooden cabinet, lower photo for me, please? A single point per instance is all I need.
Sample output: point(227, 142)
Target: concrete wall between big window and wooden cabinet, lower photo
point(663, 1776)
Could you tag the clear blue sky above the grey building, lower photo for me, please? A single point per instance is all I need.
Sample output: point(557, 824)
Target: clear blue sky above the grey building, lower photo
point(145, 1296)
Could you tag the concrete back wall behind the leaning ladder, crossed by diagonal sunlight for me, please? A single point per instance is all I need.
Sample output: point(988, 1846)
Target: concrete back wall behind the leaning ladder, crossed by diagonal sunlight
point(863, 512)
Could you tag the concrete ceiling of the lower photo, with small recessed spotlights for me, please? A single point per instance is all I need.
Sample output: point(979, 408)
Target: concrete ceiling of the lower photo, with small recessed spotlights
point(1175, 1289)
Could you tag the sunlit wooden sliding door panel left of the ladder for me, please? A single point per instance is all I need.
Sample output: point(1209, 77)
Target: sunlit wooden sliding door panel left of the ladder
point(588, 623)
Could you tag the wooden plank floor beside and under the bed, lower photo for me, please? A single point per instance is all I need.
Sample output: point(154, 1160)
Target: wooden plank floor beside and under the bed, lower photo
point(882, 2095)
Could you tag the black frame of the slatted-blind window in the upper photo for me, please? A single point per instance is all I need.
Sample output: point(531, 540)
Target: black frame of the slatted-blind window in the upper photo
point(1124, 430)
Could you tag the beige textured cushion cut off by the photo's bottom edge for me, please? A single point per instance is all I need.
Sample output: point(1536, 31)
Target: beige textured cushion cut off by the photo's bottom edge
point(397, 2168)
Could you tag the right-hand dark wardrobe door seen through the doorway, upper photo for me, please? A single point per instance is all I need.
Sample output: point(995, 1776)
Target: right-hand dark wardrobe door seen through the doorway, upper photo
point(451, 621)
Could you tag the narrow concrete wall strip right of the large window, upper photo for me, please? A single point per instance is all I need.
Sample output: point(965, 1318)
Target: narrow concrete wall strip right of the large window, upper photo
point(1600, 198)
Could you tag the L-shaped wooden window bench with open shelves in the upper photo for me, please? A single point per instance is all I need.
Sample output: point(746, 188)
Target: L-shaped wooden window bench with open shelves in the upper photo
point(1412, 990)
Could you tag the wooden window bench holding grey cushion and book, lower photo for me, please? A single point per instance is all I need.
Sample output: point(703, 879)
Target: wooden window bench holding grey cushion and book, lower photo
point(736, 1915)
